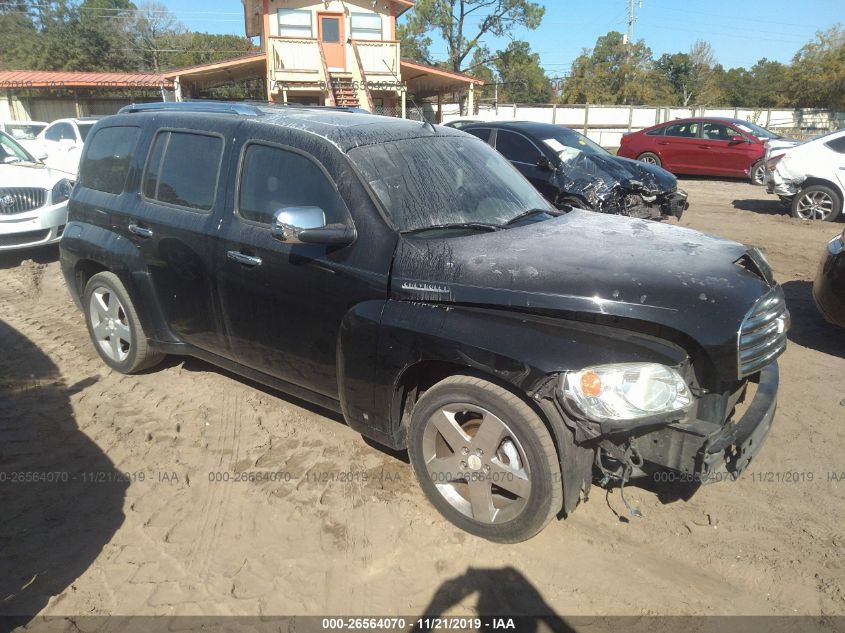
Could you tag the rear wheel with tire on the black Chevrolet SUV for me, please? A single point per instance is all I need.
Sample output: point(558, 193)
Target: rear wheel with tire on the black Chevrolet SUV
point(114, 326)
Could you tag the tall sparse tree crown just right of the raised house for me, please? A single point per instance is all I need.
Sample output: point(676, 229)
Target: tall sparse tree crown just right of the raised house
point(452, 20)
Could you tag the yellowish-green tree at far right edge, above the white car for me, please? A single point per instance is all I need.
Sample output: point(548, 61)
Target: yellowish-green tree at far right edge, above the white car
point(817, 75)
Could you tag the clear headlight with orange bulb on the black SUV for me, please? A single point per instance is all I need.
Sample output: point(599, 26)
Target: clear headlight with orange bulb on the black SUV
point(626, 391)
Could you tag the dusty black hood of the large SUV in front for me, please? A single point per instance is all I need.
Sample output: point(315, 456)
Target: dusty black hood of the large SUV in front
point(585, 266)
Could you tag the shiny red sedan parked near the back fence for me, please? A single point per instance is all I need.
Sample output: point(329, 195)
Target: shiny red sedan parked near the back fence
point(711, 146)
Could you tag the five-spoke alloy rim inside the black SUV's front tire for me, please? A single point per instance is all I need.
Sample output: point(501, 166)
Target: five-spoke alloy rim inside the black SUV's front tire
point(477, 463)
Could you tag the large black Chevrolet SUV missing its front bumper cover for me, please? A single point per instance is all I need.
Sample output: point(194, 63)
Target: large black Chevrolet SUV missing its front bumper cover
point(409, 277)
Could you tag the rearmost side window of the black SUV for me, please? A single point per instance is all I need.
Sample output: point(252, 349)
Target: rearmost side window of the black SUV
point(106, 163)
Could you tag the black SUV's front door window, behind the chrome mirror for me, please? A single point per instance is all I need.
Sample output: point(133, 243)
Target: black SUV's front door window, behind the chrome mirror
point(273, 178)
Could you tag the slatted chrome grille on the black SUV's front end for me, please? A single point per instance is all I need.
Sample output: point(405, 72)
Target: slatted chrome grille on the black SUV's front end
point(762, 337)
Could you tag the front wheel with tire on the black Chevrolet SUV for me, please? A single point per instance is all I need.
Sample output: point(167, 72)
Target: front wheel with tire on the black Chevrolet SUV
point(485, 459)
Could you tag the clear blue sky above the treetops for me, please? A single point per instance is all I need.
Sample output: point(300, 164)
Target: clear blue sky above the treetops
point(740, 32)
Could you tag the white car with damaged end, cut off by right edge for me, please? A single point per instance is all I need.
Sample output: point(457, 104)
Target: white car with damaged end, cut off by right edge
point(810, 177)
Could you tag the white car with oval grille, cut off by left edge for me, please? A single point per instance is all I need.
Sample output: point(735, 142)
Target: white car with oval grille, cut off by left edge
point(33, 198)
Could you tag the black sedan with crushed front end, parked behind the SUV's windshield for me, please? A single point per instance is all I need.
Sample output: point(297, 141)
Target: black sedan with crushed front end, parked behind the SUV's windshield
point(571, 170)
